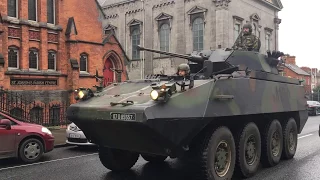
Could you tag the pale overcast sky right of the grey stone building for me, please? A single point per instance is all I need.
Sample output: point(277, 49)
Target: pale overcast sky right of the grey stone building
point(298, 31)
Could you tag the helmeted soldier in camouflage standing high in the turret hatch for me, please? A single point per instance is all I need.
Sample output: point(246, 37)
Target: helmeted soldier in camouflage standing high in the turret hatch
point(248, 41)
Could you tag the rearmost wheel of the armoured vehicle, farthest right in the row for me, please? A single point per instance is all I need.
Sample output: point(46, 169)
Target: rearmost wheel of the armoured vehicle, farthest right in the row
point(290, 139)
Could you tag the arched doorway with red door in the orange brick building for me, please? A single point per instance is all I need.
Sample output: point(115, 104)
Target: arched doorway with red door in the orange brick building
point(111, 66)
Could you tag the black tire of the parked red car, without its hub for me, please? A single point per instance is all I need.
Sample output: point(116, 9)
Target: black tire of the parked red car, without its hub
point(22, 155)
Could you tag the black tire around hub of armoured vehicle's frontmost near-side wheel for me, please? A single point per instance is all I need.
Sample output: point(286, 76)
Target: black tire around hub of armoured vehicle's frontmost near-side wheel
point(207, 152)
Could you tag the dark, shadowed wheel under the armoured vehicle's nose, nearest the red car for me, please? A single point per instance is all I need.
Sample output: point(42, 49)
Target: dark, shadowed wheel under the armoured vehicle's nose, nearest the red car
point(117, 160)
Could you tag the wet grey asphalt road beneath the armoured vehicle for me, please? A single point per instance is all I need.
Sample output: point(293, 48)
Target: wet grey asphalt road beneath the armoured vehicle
point(83, 163)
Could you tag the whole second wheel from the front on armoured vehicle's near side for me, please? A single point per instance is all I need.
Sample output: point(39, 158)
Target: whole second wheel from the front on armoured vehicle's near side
point(248, 150)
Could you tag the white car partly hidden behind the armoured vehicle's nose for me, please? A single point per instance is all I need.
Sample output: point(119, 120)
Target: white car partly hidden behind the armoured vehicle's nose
point(75, 136)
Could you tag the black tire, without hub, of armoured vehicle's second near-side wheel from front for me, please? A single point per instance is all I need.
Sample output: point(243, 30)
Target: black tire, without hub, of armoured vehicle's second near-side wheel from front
point(243, 169)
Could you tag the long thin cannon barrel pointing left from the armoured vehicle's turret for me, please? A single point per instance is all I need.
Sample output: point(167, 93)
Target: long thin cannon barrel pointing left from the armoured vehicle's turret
point(193, 58)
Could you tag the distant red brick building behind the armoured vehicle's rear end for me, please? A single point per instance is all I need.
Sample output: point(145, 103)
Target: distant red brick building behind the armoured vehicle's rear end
point(294, 71)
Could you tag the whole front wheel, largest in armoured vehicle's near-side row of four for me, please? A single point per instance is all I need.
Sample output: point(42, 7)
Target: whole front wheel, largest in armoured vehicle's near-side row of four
point(217, 155)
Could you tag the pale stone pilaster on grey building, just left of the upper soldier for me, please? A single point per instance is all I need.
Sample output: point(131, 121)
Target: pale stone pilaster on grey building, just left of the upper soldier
point(222, 26)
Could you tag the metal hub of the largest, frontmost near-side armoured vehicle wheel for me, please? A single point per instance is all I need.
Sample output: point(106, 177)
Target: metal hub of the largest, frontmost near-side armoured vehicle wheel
point(222, 160)
